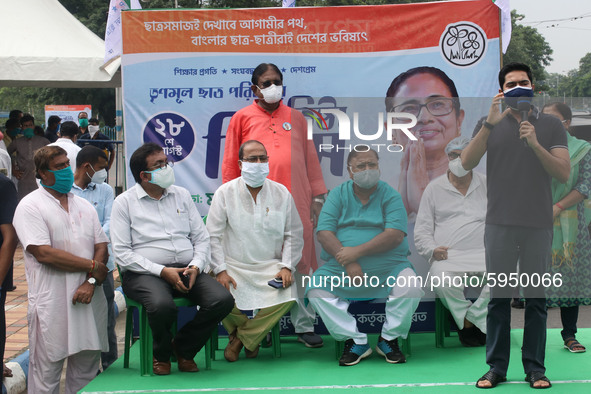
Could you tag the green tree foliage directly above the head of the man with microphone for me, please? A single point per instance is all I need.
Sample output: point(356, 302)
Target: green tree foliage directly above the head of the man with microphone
point(528, 46)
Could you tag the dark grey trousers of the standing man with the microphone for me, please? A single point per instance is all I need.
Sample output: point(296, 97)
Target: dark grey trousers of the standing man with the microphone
point(505, 246)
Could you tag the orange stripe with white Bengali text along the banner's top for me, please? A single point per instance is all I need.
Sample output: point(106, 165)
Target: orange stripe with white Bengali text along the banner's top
point(302, 30)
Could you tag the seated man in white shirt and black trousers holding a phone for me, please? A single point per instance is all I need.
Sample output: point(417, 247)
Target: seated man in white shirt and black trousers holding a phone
point(161, 244)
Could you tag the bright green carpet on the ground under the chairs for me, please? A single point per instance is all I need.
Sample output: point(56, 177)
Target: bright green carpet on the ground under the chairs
point(453, 369)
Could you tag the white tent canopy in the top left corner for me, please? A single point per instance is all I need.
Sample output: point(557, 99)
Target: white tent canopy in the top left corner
point(43, 45)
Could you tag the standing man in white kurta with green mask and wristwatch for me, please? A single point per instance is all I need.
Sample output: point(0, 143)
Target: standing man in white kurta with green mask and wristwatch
point(64, 246)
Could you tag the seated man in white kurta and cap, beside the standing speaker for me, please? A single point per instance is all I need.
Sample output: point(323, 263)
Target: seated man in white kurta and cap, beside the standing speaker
point(449, 233)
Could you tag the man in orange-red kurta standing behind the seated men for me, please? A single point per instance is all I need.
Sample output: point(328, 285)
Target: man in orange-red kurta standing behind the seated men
point(293, 162)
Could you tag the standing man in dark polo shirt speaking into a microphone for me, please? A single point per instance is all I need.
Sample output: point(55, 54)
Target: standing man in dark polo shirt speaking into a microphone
point(519, 216)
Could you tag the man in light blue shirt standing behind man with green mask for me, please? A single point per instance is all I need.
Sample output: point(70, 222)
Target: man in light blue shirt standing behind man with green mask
point(89, 177)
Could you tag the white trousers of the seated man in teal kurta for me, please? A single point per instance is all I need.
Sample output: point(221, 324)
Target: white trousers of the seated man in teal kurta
point(400, 306)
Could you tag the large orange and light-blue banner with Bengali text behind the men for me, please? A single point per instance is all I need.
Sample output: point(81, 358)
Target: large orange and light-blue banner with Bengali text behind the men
point(186, 72)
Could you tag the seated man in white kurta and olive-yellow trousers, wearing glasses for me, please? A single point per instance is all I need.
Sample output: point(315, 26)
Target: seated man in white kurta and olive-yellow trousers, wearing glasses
point(256, 235)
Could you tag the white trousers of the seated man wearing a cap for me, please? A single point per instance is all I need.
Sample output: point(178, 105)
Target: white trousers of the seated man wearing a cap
point(451, 293)
